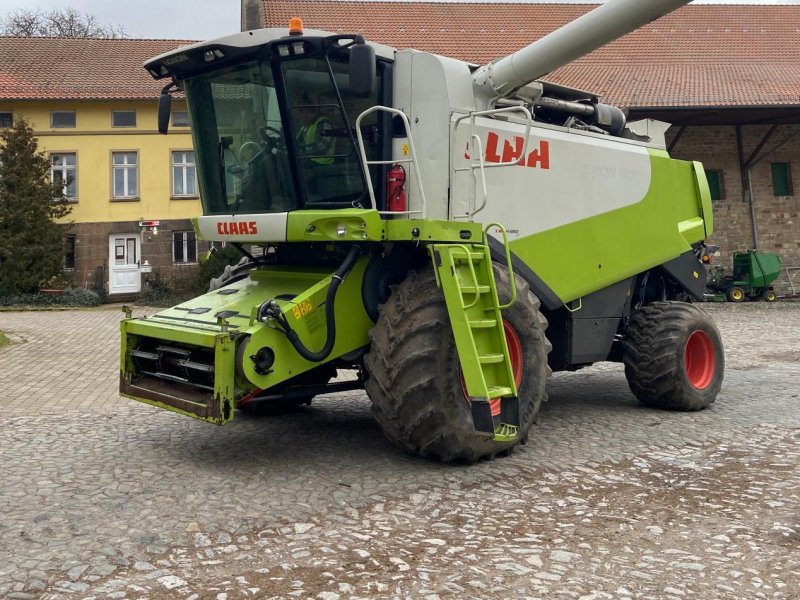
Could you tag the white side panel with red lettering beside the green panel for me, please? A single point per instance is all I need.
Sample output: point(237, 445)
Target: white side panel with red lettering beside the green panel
point(566, 177)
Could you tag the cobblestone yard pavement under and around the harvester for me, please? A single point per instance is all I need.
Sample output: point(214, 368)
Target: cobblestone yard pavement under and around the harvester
point(106, 498)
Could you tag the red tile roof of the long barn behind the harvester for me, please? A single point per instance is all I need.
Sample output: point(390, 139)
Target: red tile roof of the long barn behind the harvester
point(700, 55)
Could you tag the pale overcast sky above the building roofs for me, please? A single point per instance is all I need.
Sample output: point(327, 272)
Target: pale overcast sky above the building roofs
point(197, 19)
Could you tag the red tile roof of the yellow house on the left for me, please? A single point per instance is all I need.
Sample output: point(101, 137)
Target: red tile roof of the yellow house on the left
point(78, 69)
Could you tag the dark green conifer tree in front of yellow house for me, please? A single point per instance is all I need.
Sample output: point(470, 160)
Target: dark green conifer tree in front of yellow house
point(31, 241)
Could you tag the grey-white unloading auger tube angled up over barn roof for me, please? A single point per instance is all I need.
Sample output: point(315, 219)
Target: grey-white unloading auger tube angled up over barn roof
point(586, 34)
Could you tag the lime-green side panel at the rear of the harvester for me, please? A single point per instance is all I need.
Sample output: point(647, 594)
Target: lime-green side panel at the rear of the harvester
point(588, 255)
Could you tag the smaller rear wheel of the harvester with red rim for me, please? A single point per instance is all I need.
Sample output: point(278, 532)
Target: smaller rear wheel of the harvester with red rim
point(673, 356)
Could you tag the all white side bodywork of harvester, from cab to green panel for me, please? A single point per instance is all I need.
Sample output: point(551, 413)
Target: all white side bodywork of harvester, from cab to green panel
point(572, 175)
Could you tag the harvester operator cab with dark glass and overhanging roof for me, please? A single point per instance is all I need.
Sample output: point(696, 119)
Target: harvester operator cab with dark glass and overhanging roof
point(274, 119)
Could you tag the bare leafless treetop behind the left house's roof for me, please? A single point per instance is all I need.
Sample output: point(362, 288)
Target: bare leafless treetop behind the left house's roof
point(66, 22)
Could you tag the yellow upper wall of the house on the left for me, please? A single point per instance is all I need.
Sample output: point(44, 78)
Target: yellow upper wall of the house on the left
point(93, 139)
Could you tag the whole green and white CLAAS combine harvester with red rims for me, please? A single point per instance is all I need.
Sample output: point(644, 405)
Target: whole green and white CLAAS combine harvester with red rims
point(453, 233)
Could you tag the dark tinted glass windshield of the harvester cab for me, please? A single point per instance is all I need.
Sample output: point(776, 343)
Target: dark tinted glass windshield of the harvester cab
point(275, 137)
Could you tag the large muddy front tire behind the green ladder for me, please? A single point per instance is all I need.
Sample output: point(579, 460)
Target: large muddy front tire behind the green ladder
point(415, 375)
